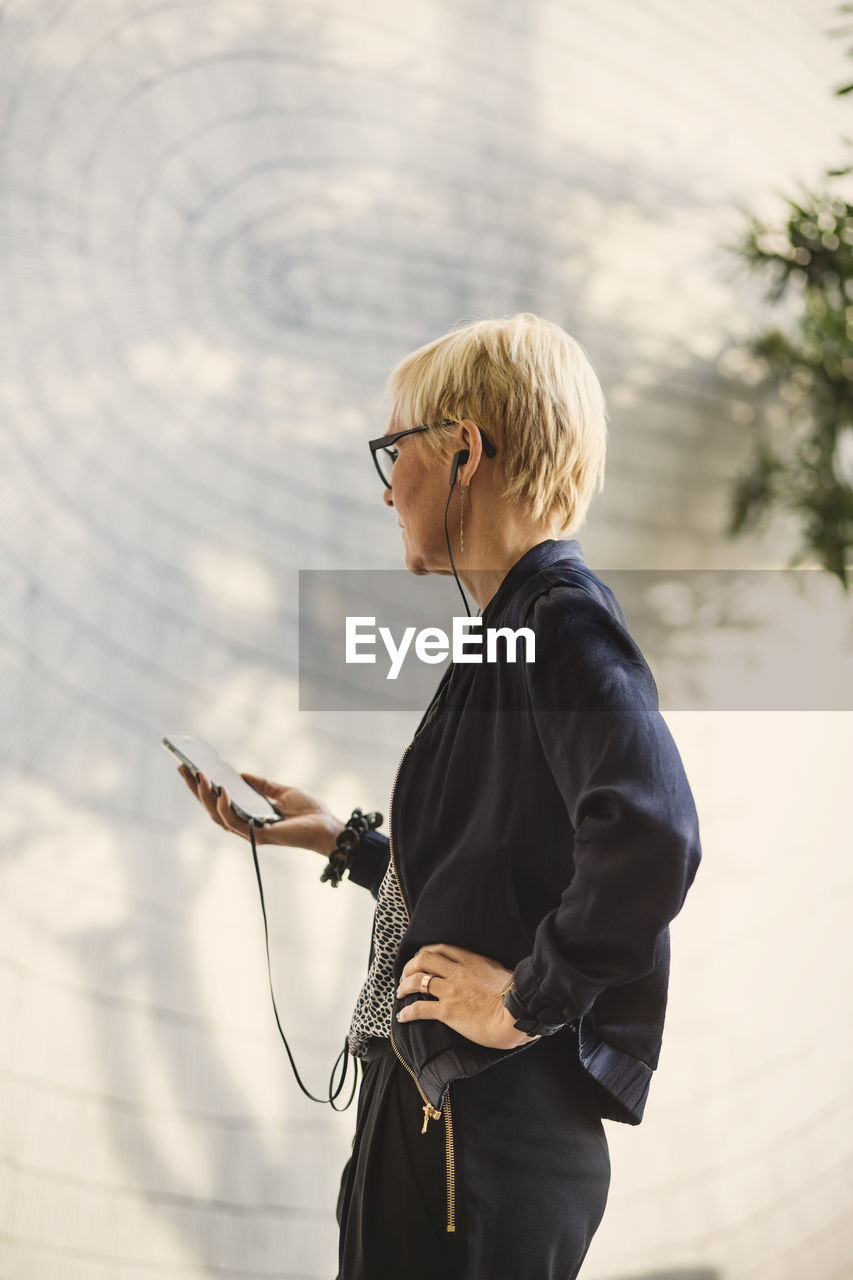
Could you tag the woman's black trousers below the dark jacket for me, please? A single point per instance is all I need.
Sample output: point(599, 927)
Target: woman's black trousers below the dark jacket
point(518, 1167)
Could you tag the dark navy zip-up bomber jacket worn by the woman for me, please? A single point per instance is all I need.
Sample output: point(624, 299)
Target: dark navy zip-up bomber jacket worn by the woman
point(541, 816)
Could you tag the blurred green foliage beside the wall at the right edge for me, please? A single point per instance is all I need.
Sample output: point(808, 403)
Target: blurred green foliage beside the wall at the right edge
point(802, 460)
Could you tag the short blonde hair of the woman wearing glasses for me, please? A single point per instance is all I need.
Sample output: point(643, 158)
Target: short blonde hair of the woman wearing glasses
point(532, 390)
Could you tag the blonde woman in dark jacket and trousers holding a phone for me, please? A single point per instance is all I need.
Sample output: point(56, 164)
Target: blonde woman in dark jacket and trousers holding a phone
point(542, 836)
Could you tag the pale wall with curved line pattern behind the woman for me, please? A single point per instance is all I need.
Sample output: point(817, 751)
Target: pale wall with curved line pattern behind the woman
point(221, 226)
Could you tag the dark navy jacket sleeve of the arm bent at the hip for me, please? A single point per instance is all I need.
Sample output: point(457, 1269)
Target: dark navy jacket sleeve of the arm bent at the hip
point(621, 775)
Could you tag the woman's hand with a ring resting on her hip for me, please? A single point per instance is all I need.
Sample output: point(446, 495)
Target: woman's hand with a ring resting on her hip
point(469, 991)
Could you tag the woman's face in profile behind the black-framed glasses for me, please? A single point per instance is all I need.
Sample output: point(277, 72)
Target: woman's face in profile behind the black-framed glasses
point(419, 495)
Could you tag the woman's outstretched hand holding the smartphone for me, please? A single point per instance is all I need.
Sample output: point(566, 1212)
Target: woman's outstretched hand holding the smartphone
point(305, 822)
